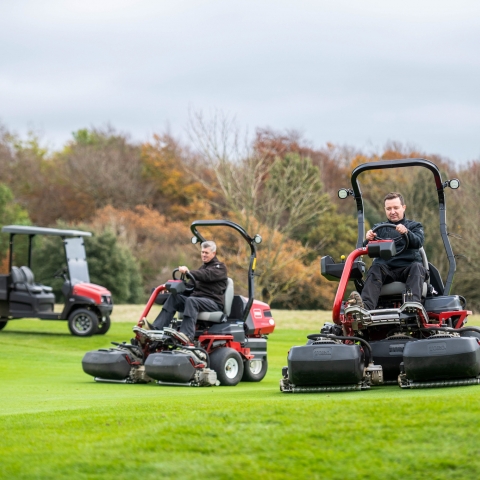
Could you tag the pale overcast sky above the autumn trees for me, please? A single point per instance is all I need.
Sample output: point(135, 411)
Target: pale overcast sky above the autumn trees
point(349, 72)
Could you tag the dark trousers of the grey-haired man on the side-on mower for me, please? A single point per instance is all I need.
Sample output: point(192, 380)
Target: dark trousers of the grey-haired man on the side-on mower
point(190, 306)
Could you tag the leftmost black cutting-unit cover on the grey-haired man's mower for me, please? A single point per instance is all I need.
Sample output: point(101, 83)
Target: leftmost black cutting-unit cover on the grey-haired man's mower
point(109, 364)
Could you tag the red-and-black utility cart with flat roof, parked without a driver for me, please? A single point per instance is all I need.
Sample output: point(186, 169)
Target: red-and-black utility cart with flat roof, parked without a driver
point(87, 306)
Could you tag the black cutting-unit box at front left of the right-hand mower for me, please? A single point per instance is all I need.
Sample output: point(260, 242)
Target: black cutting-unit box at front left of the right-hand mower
point(326, 364)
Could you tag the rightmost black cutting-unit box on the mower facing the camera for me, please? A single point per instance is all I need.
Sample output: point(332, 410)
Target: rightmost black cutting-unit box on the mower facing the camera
point(438, 358)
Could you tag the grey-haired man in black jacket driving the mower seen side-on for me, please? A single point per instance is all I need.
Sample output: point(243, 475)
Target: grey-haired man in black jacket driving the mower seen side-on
point(208, 296)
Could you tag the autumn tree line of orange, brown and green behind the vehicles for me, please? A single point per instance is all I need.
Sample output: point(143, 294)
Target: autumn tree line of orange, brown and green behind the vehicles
point(140, 198)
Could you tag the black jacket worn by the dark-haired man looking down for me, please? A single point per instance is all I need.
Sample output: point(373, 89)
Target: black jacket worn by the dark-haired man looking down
point(415, 241)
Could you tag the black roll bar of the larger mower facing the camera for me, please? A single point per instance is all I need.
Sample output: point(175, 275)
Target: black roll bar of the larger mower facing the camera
point(411, 162)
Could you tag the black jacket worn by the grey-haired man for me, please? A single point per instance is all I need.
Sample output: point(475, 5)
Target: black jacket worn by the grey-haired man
point(211, 281)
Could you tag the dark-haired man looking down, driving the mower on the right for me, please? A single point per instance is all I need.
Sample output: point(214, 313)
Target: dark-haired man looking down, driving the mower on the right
point(406, 267)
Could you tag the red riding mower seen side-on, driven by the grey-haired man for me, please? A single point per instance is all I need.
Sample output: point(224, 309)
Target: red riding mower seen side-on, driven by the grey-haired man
point(230, 345)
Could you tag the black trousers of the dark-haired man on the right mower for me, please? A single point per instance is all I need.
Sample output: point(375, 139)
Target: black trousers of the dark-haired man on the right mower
point(413, 276)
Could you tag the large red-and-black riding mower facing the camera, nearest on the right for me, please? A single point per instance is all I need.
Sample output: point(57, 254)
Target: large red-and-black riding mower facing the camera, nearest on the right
point(415, 344)
